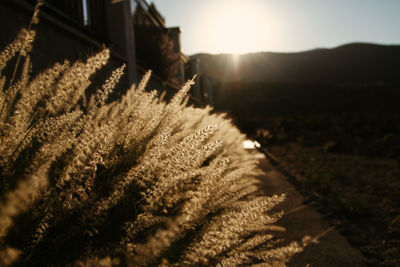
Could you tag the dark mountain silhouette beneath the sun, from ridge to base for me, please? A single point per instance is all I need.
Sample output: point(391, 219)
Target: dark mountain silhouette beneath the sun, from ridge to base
point(356, 77)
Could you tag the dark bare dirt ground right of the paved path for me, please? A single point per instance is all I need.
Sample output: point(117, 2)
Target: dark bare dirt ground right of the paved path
point(356, 192)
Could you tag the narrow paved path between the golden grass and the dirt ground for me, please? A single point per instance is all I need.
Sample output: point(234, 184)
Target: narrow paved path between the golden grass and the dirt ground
point(299, 221)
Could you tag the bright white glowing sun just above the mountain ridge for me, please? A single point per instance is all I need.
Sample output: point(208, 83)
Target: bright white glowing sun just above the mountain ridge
point(235, 27)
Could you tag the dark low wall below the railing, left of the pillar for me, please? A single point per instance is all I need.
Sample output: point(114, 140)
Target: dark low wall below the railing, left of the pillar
point(55, 41)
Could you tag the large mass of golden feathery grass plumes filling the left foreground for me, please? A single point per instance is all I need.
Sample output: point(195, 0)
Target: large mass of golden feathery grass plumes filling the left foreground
point(137, 181)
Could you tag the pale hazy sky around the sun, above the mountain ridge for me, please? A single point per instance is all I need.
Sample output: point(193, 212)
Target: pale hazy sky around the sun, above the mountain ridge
point(233, 26)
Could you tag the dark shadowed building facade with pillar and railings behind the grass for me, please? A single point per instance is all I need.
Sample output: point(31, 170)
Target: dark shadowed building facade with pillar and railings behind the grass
point(73, 29)
